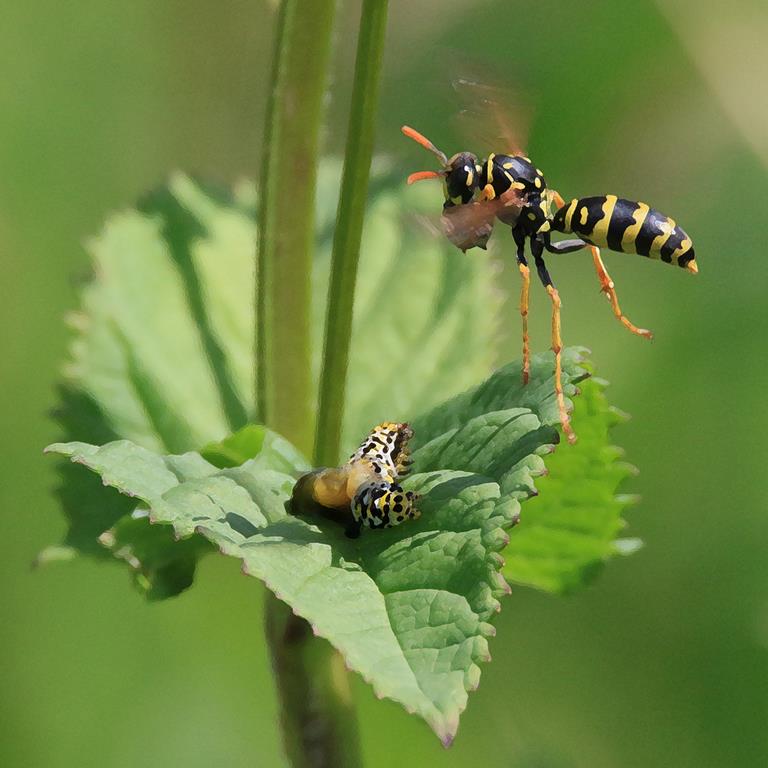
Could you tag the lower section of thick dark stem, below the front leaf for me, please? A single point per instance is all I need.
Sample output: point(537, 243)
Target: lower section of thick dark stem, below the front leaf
point(317, 717)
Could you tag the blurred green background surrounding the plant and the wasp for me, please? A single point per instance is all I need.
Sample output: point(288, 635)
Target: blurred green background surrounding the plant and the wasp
point(664, 661)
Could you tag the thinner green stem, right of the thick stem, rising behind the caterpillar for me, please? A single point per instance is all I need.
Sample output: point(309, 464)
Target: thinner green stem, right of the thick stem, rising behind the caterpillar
point(349, 227)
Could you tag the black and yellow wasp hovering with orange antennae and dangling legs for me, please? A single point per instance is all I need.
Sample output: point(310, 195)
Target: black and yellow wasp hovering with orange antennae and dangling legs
point(511, 189)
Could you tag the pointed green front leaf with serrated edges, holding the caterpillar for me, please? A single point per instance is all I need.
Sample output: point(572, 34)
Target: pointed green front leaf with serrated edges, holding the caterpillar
point(408, 607)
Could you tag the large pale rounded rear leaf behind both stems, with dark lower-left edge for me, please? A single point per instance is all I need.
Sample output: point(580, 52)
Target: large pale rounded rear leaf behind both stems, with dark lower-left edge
point(163, 346)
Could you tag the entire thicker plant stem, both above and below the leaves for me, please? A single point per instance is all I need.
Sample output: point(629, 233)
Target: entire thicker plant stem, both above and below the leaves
point(319, 728)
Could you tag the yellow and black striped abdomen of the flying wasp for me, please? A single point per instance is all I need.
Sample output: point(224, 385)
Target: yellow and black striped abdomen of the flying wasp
point(612, 222)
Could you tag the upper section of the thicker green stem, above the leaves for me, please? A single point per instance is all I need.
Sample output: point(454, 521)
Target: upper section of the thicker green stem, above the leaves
point(287, 217)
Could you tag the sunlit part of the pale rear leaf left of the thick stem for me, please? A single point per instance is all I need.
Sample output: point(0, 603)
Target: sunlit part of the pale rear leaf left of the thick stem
point(162, 351)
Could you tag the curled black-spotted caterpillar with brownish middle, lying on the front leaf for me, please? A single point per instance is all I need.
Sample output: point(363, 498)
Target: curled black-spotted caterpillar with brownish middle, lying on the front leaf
point(363, 492)
